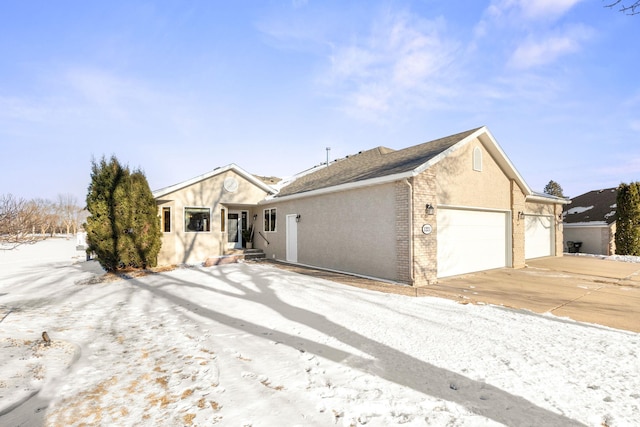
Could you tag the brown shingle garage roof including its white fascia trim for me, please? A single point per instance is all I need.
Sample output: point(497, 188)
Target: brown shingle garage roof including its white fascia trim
point(382, 164)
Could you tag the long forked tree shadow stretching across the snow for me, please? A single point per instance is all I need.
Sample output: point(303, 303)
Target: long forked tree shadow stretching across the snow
point(393, 365)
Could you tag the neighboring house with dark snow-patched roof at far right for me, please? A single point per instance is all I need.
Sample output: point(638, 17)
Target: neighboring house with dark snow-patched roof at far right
point(590, 220)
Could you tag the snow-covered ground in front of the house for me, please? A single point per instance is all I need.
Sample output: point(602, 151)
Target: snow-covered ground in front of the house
point(253, 345)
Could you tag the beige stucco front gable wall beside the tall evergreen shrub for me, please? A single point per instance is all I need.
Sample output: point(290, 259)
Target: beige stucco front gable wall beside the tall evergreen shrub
point(180, 246)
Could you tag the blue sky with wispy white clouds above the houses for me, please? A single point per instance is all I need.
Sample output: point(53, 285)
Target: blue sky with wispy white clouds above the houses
point(178, 88)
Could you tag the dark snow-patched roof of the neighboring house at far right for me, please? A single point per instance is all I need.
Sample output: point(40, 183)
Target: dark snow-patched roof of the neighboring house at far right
point(594, 207)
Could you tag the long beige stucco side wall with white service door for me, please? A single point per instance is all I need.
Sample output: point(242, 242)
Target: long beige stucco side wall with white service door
point(352, 231)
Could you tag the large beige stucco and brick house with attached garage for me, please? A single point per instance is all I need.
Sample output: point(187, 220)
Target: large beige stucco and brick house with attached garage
point(447, 207)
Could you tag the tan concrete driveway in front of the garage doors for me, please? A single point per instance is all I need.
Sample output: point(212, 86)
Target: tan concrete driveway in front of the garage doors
point(587, 289)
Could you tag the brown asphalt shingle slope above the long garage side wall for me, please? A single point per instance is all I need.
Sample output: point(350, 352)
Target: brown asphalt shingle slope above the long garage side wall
point(375, 163)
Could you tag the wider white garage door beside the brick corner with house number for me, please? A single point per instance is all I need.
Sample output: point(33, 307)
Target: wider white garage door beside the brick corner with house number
point(471, 240)
